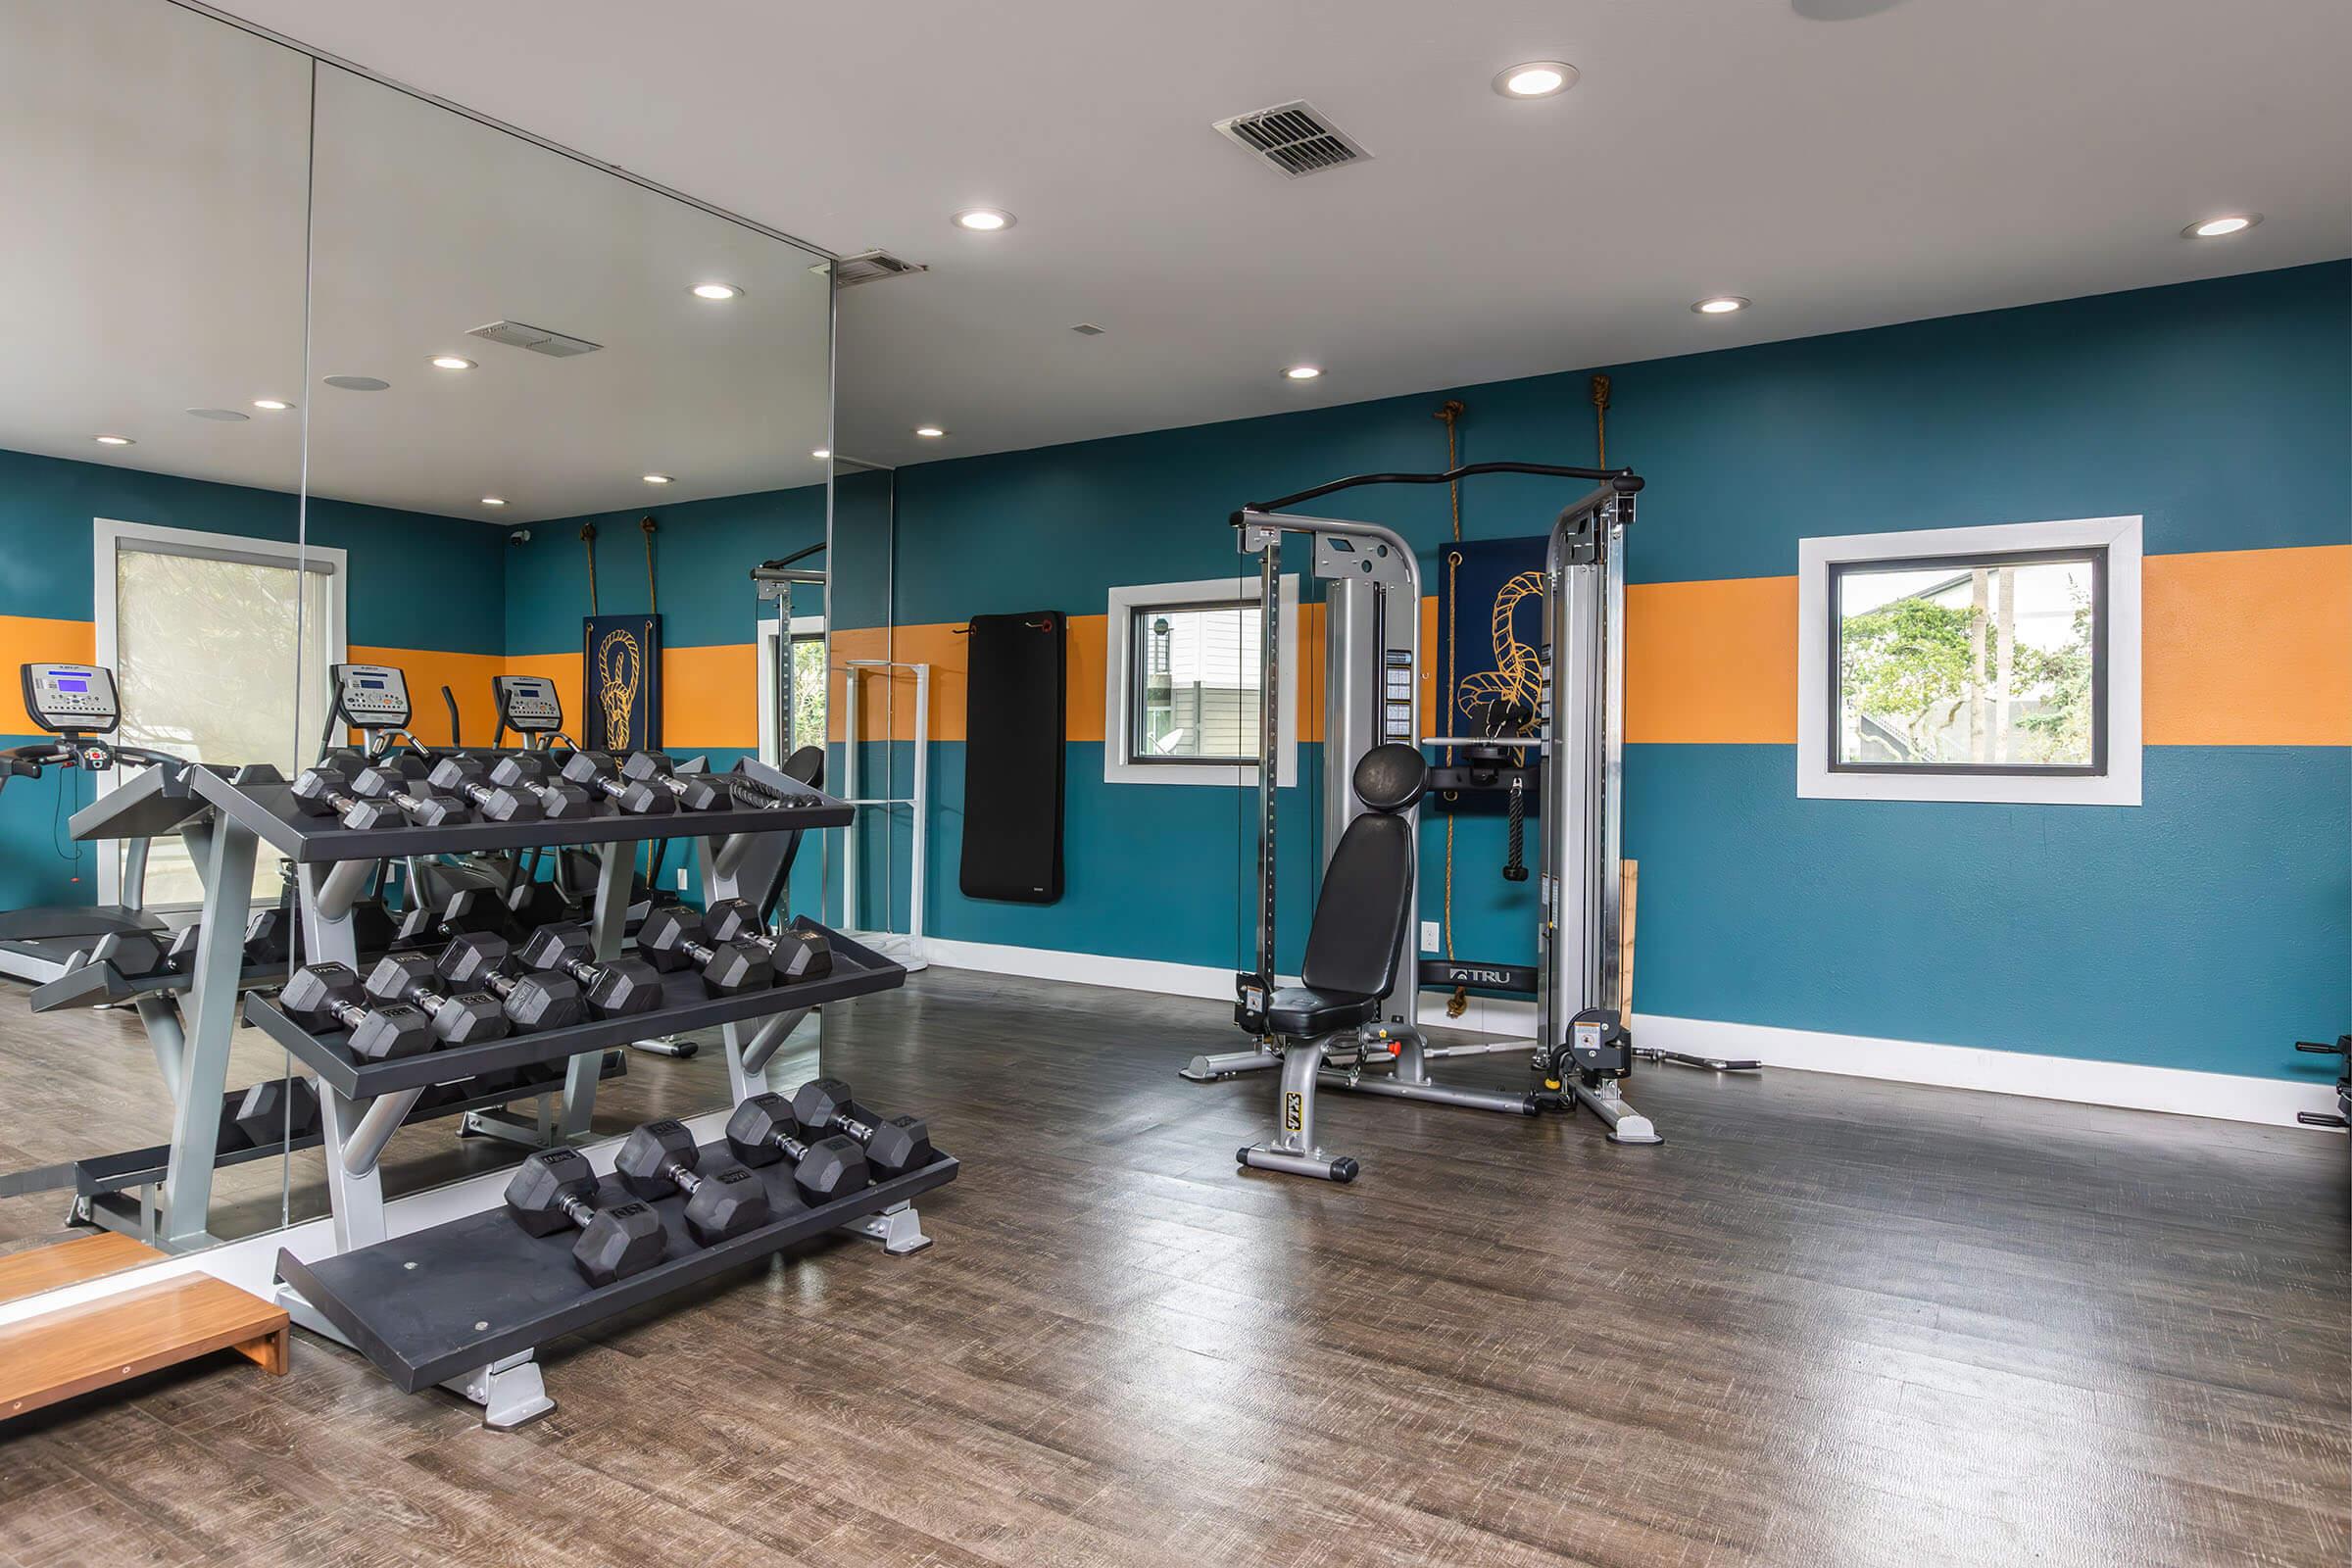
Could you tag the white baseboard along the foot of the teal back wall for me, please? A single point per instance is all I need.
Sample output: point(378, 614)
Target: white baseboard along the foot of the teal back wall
point(1899, 1061)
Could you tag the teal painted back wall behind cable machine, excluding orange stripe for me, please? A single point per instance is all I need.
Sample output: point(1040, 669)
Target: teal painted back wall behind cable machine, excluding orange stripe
point(2203, 930)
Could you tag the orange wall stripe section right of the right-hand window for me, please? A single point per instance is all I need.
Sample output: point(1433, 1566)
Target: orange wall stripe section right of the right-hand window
point(2247, 648)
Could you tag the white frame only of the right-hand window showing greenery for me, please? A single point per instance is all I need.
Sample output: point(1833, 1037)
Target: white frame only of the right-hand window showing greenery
point(2120, 786)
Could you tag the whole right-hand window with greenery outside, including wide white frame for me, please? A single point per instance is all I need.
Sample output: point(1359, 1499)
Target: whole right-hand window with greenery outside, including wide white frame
point(1972, 664)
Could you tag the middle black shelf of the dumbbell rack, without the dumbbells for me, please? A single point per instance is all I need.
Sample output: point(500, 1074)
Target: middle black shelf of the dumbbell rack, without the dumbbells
point(855, 974)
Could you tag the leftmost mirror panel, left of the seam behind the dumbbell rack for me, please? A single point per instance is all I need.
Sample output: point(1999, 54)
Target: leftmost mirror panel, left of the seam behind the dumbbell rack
point(152, 605)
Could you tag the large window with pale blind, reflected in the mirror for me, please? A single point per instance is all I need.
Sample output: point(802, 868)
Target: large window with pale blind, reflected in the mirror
point(203, 634)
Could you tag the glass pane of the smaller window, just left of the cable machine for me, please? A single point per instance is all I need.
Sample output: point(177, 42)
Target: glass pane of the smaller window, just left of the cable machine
point(1196, 683)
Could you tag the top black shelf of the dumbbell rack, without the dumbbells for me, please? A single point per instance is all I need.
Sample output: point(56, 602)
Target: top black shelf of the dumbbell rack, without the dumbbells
point(272, 812)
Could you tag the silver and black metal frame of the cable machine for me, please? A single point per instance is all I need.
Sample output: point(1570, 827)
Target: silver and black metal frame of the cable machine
point(1372, 655)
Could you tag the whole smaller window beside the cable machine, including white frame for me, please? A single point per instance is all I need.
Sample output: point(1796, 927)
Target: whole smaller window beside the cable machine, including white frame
point(1182, 692)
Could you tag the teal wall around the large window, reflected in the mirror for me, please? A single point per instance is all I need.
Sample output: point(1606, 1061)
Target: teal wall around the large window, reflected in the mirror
point(415, 582)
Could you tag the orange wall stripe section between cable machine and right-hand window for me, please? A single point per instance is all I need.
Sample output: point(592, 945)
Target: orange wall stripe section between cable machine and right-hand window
point(1713, 664)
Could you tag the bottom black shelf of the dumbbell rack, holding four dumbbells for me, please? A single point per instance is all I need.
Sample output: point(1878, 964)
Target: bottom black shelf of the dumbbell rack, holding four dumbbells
point(457, 1296)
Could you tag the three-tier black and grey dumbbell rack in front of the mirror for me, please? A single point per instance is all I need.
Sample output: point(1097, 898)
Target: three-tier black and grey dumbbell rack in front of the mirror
point(476, 1259)
